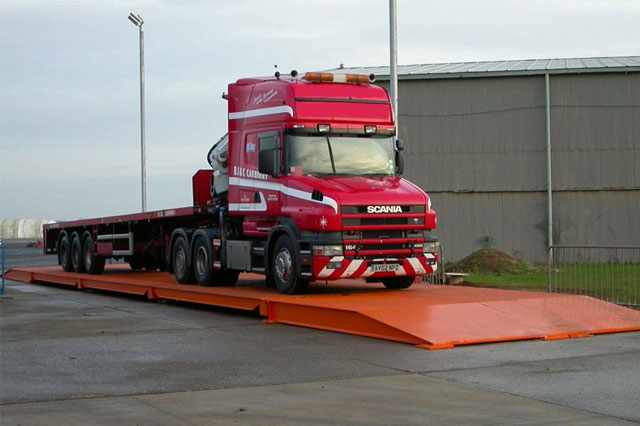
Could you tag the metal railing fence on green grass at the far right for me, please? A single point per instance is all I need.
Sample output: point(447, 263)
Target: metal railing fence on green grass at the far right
point(608, 273)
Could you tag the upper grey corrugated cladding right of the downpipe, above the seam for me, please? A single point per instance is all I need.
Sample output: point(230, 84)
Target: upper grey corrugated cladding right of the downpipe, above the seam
point(595, 131)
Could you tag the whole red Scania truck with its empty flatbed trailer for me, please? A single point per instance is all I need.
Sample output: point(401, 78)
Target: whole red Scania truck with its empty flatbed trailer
point(305, 186)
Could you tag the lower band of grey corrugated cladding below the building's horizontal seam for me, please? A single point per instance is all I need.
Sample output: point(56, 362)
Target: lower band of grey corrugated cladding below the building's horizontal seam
point(516, 222)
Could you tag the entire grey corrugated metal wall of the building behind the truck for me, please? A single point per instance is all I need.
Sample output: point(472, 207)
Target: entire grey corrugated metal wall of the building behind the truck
point(478, 147)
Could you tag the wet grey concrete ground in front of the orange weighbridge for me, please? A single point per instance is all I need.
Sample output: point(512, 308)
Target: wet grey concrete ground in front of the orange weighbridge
point(72, 357)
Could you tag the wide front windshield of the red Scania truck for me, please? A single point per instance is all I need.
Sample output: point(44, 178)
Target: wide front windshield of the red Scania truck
point(327, 155)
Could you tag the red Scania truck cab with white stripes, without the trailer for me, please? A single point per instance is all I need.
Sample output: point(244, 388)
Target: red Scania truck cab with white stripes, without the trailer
point(314, 170)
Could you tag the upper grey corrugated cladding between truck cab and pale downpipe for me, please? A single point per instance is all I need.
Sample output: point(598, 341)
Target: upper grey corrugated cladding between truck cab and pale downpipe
point(474, 134)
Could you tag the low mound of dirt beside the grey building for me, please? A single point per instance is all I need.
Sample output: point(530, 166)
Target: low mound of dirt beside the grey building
point(491, 261)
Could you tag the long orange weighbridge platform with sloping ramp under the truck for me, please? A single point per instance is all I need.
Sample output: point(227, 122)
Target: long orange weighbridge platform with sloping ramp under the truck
point(428, 316)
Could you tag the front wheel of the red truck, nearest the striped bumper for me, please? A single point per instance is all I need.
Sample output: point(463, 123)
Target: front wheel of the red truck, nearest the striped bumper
point(284, 267)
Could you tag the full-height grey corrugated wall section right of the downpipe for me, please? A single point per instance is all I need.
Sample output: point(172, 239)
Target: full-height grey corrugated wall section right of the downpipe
point(595, 133)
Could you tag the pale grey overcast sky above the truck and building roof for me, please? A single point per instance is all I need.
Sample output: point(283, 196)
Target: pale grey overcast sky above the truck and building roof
point(69, 82)
